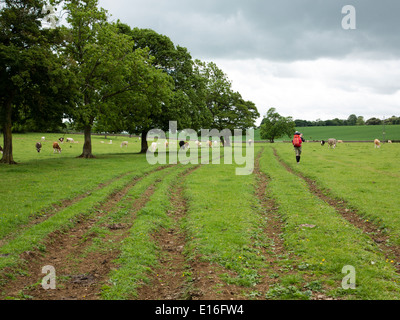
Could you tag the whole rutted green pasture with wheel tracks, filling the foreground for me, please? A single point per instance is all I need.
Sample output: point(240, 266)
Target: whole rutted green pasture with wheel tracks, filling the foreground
point(117, 228)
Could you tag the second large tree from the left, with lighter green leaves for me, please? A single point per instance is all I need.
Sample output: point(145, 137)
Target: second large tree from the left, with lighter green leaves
point(106, 67)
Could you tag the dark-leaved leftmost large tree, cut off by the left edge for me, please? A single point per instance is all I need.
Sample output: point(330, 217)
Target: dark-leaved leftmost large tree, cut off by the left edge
point(33, 80)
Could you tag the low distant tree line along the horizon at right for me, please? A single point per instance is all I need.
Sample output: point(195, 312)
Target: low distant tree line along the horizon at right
point(352, 120)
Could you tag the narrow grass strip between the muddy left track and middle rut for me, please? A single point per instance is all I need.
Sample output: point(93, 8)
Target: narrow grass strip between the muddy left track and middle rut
point(139, 254)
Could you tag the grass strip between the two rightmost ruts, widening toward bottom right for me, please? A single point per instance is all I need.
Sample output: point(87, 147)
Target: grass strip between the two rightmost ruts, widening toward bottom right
point(333, 243)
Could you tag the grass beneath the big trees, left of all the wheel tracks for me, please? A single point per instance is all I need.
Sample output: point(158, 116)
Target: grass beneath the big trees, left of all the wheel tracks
point(32, 187)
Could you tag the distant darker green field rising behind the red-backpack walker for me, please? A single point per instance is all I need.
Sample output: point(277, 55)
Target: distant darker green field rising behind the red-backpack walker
point(349, 133)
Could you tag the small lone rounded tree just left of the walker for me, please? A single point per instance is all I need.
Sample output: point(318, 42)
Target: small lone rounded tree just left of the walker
point(275, 126)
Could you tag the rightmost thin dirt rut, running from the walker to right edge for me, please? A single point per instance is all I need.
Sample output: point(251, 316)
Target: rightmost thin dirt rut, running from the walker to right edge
point(380, 238)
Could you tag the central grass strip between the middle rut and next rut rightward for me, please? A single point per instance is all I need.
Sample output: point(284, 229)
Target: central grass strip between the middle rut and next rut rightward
point(221, 221)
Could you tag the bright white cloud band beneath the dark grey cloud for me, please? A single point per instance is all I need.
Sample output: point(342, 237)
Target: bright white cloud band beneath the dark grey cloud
point(324, 88)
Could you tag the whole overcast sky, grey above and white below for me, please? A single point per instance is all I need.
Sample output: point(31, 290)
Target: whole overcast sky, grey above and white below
point(293, 55)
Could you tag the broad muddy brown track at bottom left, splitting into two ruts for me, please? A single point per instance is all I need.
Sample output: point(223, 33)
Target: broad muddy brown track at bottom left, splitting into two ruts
point(80, 275)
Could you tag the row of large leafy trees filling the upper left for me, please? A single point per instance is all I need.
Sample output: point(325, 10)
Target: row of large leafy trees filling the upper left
point(104, 76)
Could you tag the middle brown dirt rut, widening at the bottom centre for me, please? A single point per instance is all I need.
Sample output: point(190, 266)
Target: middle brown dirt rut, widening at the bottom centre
point(179, 276)
